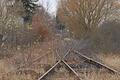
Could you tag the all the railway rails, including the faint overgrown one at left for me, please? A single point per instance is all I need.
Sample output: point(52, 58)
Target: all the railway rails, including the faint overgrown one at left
point(61, 60)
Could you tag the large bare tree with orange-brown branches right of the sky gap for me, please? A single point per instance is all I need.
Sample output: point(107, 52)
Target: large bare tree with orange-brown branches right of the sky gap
point(83, 16)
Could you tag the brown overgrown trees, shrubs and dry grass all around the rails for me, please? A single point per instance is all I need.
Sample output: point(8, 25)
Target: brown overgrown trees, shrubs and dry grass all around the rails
point(34, 38)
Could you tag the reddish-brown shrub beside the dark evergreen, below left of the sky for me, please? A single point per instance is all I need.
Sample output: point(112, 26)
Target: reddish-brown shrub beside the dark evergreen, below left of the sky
point(41, 23)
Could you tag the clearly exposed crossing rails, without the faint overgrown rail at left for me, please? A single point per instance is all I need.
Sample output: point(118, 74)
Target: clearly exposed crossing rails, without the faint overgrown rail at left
point(85, 57)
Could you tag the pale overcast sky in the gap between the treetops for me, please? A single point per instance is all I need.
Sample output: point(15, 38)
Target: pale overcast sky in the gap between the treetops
point(51, 5)
